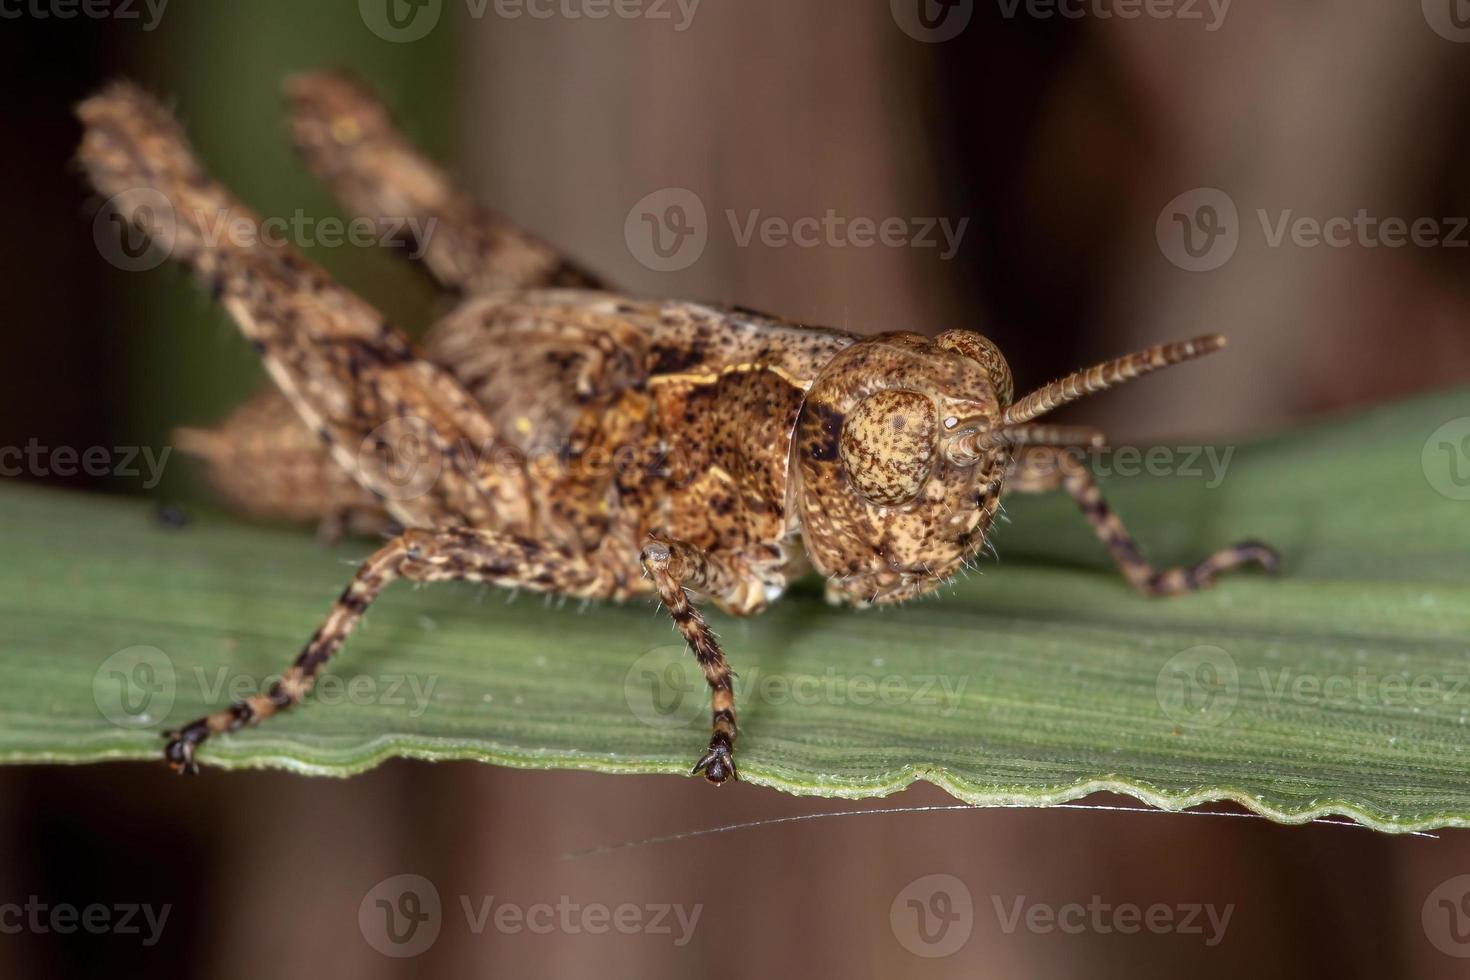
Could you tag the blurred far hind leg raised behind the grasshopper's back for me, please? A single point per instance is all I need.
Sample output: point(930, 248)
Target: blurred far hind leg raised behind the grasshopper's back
point(348, 137)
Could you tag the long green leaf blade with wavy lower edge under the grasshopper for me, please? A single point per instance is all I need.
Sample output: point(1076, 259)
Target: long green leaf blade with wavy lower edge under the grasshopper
point(1340, 687)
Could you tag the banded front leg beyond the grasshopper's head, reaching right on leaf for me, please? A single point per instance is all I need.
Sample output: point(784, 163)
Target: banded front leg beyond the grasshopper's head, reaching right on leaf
point(1043, 469)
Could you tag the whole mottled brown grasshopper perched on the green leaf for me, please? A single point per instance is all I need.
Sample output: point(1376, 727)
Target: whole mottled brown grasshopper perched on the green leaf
point(762, 449)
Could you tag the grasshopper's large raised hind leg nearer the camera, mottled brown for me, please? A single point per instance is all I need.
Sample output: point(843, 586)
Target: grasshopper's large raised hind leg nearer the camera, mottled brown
point(401, 427)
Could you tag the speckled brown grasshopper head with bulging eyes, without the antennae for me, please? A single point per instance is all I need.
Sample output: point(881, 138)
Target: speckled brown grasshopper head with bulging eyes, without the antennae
point(892, 494)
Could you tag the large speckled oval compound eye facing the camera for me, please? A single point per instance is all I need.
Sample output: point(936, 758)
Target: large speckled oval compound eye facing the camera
point(889, 446)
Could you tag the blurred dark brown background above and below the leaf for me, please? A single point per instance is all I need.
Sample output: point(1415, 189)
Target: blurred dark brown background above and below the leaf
point(1064, 140)
